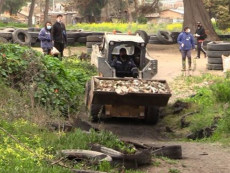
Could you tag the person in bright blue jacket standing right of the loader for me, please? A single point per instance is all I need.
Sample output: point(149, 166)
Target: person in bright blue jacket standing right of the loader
point(187, 43)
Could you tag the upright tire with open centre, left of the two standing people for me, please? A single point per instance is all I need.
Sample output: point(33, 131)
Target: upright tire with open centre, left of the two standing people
point(26, 38)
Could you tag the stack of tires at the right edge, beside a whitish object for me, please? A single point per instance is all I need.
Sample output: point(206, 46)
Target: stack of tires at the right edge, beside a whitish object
point(215, 50)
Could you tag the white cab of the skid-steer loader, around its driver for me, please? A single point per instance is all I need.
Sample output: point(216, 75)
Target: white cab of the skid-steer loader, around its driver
point(103, 55)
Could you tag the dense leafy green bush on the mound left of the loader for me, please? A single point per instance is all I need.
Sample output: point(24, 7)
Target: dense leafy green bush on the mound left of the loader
point(52, 83)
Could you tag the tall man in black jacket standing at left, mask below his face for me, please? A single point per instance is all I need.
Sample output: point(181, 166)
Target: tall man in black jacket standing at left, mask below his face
point(59, 35)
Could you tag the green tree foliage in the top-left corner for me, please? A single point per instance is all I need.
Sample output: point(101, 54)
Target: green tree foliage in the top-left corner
point(13, 6)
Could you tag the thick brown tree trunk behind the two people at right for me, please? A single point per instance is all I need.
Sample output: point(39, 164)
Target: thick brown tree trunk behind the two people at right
point(194, 11)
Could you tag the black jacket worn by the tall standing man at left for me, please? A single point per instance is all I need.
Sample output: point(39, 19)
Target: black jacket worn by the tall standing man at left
point(59, 33)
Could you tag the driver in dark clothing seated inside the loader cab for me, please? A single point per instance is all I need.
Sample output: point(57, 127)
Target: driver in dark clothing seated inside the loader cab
point(124, 65)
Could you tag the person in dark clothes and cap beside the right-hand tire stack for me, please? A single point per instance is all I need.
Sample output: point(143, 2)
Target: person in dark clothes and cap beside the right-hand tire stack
point(200, 35)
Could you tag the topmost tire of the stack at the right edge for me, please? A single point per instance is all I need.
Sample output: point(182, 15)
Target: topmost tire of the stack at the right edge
point(218, 46)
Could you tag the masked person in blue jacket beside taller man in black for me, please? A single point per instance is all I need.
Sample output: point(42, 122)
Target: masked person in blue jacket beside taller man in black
point(45, 38)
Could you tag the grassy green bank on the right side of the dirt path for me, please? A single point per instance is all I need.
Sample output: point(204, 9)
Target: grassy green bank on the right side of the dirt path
point(210, 105)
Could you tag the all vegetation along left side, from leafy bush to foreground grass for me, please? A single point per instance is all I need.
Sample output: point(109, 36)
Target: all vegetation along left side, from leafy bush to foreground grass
point(27, 144)
